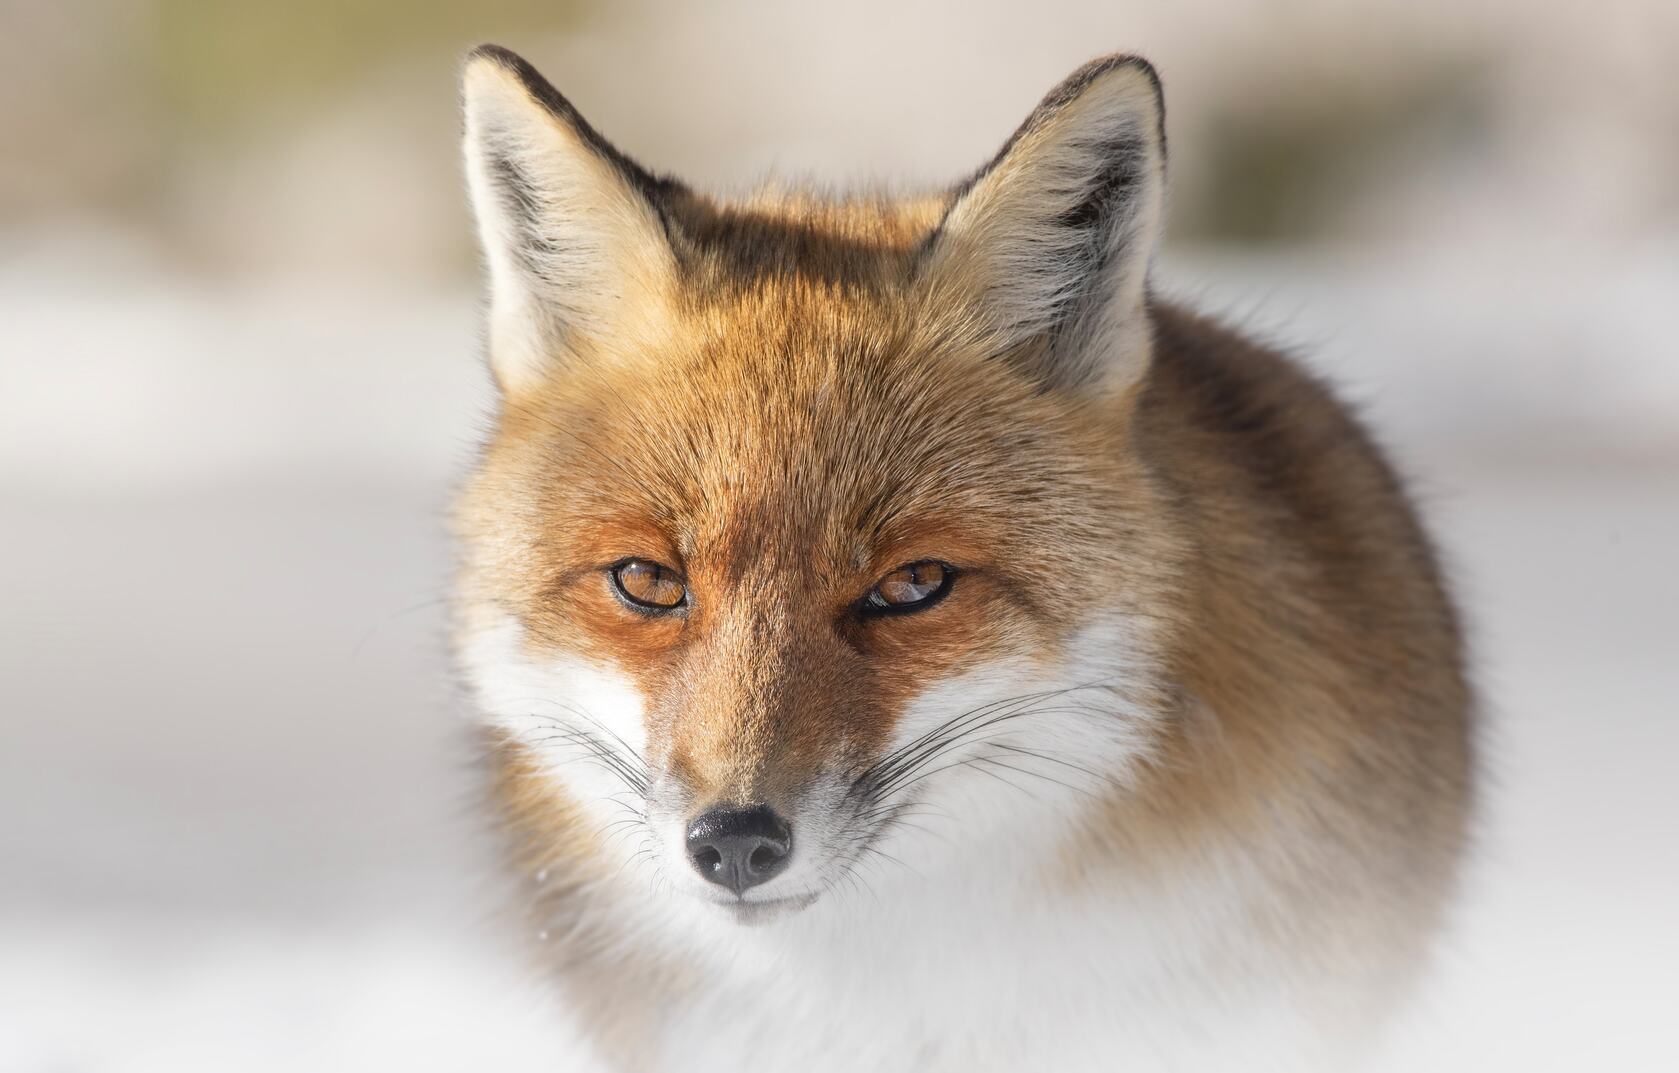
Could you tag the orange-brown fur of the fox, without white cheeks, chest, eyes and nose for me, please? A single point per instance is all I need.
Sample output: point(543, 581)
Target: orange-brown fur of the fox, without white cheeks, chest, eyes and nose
point(800, 395)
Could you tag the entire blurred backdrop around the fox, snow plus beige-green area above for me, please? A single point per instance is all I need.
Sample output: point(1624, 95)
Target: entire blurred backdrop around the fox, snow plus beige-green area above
point(239, 370)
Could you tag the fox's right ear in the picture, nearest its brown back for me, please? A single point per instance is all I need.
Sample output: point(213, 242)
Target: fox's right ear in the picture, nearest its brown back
point(1050, 244)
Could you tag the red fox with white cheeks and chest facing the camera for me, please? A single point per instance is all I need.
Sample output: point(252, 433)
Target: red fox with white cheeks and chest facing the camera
point(901, 641)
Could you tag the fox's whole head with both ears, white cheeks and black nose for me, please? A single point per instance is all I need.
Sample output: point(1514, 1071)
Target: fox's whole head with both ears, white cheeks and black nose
point(810, 528)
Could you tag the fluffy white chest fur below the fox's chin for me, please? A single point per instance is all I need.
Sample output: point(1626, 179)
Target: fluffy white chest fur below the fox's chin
point(981, 975)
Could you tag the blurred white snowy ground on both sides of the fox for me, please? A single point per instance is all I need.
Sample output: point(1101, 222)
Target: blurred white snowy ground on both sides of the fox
point(236, 829)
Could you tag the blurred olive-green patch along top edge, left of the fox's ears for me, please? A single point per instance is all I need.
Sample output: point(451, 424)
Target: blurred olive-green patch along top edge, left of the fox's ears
point(222, 63)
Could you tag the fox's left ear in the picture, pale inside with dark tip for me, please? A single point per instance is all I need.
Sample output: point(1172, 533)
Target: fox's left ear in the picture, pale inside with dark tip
point(573, 231)
